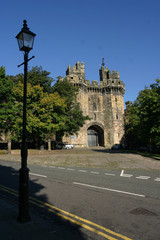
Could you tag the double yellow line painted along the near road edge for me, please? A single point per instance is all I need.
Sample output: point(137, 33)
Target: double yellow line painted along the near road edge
point(84, 223)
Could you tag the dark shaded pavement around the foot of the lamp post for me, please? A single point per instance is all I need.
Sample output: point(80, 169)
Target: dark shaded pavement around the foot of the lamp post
point(38, 228)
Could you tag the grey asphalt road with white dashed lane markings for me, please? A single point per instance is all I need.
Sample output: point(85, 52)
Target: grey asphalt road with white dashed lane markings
point(125, 202)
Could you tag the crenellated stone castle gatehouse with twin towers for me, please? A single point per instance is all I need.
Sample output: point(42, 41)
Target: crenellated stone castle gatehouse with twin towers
point(103, 103)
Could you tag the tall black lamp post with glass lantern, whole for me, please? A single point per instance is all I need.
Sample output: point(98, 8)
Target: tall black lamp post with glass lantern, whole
point(25, 40)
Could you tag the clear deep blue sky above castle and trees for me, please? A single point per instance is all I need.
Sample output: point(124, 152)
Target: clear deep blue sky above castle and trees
point(125, 32)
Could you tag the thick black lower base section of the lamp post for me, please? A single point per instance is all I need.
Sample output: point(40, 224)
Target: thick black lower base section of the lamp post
point(23, 215)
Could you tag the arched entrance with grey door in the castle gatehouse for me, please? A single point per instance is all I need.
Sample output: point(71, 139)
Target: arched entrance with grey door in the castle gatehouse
point(95, 136)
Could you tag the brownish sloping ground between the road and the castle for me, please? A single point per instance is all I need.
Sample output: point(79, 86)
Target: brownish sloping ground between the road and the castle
point(89, 158)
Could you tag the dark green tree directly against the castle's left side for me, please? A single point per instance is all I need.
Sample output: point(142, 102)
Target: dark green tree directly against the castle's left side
point(73, 112)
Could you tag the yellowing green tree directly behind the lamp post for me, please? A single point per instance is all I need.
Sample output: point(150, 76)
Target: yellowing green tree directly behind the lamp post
point(45, 113)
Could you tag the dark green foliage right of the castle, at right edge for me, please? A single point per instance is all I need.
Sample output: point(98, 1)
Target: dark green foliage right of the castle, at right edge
point(143, 117)
